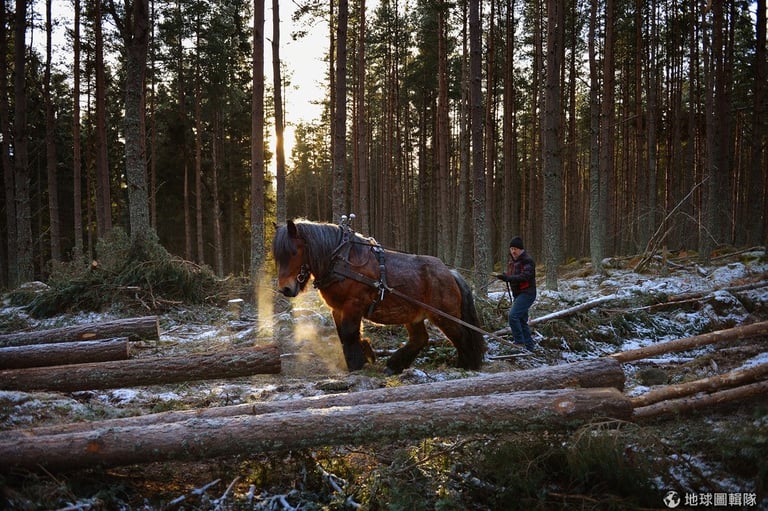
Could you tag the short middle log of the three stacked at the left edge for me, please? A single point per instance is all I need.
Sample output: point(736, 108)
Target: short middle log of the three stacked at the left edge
point(64, 353)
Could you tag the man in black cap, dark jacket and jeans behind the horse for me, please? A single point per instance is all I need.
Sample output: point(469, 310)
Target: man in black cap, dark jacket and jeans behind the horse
point(521, 276)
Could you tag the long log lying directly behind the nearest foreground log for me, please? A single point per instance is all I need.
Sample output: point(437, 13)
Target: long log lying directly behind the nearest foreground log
point(602, 372)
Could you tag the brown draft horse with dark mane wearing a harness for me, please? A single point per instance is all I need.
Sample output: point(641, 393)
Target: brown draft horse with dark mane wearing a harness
point(356, 278)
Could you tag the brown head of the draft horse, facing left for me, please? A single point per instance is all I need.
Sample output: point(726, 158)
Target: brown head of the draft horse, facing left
point(289, 251)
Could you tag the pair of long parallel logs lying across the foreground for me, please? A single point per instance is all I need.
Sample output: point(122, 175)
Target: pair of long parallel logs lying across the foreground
point(486, 404)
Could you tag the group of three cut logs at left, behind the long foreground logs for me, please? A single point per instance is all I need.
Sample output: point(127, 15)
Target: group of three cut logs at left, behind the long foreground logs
point(96, 356)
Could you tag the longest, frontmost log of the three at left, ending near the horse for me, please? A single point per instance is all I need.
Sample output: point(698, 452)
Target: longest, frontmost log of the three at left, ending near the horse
point(135, 372)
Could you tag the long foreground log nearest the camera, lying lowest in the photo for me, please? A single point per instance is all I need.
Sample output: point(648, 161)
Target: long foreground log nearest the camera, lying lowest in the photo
point(208, 438)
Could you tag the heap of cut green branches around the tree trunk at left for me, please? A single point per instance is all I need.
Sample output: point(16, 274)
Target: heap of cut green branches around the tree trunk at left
point(125, 274)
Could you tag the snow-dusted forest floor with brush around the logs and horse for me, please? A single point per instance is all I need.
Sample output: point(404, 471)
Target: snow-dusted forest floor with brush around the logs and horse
point(712, 457)
